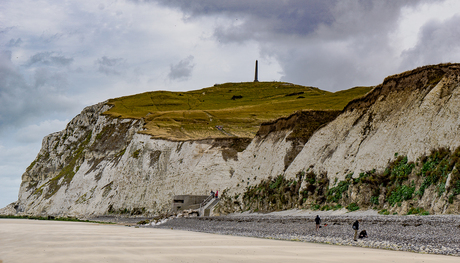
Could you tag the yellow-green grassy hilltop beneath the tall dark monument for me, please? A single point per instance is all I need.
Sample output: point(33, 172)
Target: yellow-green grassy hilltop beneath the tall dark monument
point(239, 108)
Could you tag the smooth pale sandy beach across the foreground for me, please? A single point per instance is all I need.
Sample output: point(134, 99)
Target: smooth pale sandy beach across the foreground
point(52, 241)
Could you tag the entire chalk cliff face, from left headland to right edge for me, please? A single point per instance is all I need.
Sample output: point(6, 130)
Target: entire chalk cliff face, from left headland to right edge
point(101, 165)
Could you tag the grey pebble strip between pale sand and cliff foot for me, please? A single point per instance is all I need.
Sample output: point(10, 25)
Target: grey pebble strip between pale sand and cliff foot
point(420, 234)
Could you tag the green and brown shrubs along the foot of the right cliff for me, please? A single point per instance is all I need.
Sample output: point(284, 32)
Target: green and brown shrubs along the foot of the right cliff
point(402, 188)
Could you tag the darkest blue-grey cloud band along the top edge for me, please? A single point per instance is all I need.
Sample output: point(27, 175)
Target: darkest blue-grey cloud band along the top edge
point(272, 19)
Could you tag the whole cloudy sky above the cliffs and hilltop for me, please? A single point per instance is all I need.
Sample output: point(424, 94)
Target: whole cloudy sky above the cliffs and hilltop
point(57, 57)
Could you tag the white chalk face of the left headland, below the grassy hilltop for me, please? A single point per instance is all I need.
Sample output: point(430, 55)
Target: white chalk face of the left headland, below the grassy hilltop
point(100, 165)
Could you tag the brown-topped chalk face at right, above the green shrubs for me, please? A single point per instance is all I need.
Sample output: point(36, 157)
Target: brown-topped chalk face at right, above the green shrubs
point(397, 117)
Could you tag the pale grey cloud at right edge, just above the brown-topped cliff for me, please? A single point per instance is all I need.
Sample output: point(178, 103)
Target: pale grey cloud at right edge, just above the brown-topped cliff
point(438, 42)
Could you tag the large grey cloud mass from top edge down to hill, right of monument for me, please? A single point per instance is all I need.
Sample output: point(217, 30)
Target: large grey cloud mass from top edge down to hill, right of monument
point(326, 43)
